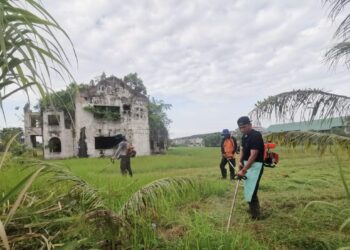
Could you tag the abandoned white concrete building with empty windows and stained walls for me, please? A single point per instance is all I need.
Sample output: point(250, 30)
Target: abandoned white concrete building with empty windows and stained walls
point(103, 113)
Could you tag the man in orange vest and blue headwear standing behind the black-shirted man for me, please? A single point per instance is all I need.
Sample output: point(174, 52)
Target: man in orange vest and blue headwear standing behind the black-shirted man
point(228, 150)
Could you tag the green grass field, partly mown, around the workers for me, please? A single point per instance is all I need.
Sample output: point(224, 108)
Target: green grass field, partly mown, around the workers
point(196, 217)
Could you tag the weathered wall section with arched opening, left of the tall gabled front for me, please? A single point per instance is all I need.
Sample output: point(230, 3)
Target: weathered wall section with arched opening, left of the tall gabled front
point(57, 131)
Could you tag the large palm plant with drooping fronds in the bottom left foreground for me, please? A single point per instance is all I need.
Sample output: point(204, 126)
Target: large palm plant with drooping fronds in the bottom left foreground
point(45, 218)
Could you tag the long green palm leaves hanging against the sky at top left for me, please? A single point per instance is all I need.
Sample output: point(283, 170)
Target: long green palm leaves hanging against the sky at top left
point(30, 51)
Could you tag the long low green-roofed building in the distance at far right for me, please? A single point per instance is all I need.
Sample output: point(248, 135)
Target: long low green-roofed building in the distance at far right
point(338, 125)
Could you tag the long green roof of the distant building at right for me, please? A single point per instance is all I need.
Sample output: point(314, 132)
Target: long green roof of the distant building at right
point(315, 125)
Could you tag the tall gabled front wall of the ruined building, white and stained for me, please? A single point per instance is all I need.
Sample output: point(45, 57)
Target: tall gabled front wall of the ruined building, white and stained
point(133, 123)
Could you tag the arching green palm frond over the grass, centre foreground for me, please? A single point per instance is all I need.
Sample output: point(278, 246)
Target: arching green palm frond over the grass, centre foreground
point(148, 195)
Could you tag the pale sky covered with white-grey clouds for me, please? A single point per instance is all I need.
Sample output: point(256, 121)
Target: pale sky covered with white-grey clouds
point(212, 60)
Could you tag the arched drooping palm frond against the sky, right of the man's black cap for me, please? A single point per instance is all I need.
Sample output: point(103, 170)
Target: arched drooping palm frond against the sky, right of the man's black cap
point(307, 104)
